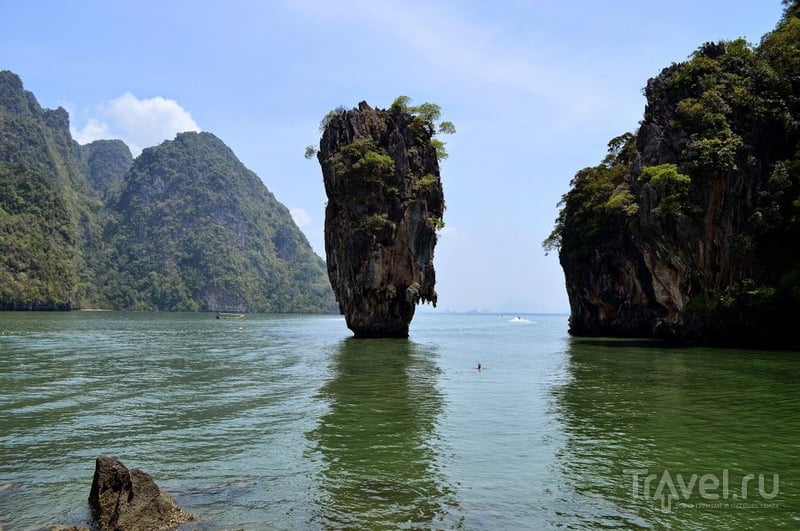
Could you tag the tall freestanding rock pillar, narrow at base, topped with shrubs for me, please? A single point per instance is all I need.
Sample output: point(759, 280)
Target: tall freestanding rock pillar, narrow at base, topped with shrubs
point(385, 202)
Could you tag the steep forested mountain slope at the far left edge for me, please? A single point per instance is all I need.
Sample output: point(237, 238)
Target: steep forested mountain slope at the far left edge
point(48, 210)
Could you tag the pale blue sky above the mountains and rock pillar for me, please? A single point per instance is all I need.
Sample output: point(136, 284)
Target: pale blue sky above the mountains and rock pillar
point(535, 89)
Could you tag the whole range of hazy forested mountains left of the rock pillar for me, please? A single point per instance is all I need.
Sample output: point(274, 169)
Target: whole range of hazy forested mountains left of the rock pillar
point(183, 227)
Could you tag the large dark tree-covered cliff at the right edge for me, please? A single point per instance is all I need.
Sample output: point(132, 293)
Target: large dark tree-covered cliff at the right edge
point(689, 229)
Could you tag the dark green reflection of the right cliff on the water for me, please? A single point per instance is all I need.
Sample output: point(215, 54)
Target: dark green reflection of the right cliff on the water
point(633, 410)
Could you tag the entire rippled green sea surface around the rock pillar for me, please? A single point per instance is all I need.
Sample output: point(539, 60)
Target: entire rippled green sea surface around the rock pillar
point(290, 424)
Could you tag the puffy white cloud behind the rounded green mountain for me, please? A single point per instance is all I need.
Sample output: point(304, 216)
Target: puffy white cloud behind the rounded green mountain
point(138, 122)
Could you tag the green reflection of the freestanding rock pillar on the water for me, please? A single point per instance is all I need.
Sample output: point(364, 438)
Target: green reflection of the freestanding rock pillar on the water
point(377, 442)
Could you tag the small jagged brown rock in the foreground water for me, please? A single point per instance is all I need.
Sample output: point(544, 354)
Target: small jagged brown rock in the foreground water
point(129, 500)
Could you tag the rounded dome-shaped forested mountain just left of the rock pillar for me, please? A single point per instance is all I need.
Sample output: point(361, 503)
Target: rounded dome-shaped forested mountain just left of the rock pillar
point(198, 231)
